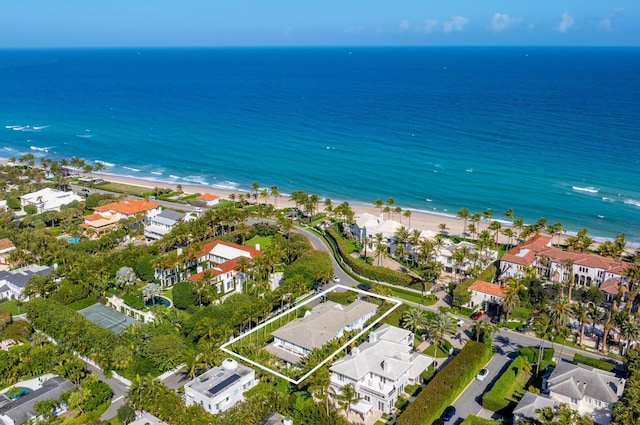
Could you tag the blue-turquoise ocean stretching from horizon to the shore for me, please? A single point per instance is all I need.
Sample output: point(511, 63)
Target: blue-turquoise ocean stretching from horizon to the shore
point(549, 132)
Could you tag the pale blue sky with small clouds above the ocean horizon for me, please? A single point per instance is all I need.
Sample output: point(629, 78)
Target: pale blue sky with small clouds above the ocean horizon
point(138, 23)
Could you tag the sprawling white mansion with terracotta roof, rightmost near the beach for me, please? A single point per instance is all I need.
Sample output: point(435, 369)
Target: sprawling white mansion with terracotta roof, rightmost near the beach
point(556, 265)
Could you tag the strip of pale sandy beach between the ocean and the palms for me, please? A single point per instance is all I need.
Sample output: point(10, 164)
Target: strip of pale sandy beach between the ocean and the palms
point(418, 219)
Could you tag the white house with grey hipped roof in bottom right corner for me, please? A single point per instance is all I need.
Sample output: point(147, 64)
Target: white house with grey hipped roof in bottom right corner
point(585, 389)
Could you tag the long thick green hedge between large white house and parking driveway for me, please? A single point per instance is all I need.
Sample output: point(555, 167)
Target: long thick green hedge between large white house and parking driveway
point(446, 385)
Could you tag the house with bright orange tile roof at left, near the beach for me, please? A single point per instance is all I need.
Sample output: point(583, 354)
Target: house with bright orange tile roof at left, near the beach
point(106, 216)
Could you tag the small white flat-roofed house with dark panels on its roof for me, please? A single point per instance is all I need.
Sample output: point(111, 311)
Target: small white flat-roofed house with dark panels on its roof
point(220, 388)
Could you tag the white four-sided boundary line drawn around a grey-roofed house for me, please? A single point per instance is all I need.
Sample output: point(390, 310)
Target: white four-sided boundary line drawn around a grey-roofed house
point(224, 348)
